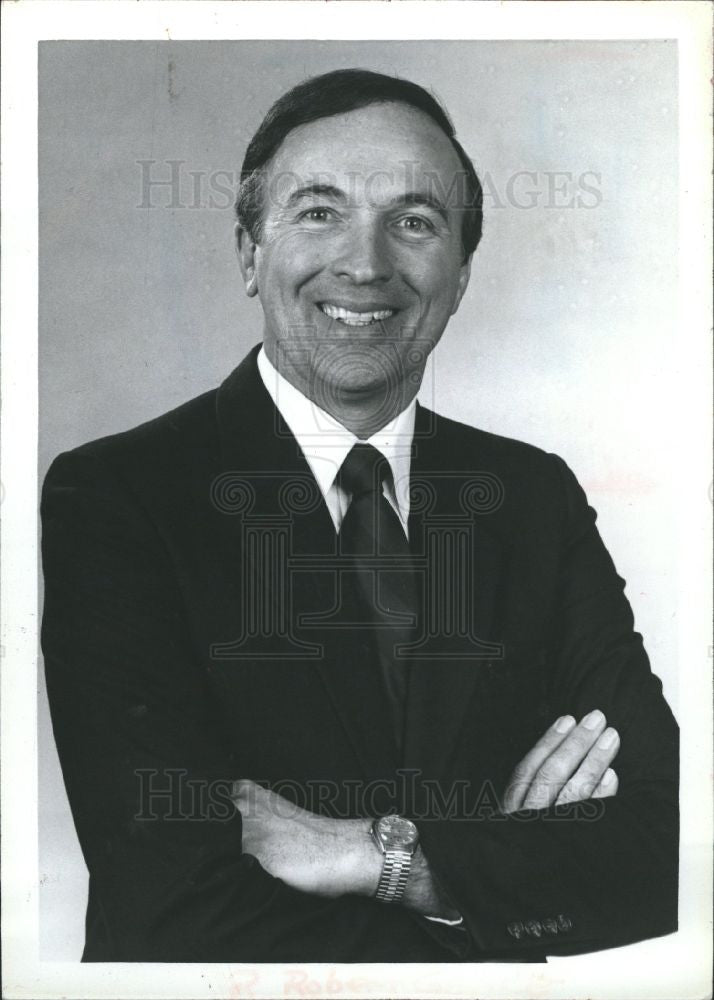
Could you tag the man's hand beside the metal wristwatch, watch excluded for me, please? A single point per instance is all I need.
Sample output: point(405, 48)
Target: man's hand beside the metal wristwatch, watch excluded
point(316, 854)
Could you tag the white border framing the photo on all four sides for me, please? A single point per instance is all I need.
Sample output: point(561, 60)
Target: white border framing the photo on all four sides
point(672, 967)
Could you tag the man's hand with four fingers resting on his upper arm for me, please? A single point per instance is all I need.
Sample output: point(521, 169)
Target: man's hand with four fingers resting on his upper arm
point(569, 763)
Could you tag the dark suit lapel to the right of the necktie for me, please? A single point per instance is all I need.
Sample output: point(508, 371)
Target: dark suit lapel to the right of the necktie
point(462, 563)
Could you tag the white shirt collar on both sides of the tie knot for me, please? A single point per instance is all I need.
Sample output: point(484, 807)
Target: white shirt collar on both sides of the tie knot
point(325, 442)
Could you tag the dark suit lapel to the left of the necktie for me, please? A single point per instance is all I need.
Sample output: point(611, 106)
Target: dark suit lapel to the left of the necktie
point(282, 500)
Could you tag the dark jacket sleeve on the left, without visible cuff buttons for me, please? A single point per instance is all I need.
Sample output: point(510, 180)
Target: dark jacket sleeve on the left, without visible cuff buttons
point(146, 774)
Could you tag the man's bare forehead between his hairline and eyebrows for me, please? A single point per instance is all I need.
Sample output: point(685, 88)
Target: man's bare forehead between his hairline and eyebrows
point(381, 147)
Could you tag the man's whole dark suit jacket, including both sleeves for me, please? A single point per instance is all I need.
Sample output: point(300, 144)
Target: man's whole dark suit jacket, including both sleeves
point(181, 559)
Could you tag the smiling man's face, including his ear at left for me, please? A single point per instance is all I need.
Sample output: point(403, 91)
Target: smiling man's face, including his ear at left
point(360, 260)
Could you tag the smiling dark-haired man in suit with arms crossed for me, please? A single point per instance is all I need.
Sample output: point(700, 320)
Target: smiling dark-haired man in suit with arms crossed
point(334, 678)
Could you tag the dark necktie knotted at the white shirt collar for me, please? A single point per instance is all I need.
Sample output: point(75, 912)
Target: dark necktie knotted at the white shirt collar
point(373, 543)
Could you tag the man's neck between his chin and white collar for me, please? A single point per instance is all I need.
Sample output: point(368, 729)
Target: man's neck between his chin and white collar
point(361, 411)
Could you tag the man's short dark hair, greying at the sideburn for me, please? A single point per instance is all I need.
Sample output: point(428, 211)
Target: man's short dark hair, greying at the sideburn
point(333, 94)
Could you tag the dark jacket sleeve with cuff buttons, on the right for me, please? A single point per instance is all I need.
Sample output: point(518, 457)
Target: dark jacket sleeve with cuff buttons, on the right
point(596, 874)
